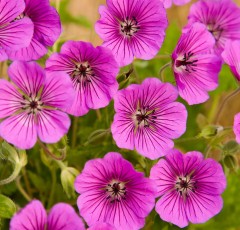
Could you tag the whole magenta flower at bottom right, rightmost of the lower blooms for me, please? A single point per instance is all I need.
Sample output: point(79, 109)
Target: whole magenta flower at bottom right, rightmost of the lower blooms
point(189, 188)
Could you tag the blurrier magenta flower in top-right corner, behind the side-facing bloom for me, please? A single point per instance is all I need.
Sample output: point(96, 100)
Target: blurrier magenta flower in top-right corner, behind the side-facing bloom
point(221, 17)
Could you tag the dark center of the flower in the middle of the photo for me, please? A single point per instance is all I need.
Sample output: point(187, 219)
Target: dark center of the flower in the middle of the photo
point(145, 117)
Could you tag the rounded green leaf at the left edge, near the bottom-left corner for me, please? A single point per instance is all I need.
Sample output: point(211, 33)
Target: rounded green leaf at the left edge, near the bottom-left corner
point(7, 207)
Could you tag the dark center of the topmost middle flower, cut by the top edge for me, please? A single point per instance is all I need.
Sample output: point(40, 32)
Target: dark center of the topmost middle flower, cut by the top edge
point(129, 26)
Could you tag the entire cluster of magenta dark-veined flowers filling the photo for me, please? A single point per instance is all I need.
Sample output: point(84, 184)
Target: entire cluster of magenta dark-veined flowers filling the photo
point(36, 101)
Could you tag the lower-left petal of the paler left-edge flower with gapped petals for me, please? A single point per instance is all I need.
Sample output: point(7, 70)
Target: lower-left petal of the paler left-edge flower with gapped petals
point(19, 130)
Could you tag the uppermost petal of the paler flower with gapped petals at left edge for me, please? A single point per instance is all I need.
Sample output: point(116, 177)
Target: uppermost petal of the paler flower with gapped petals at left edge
point(29, 77)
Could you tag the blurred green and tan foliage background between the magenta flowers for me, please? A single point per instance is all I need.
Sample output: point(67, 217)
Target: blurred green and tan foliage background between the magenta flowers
point(89, 136)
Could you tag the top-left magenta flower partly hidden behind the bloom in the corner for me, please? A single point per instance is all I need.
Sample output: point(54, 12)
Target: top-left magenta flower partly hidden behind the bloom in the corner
point(47, 29)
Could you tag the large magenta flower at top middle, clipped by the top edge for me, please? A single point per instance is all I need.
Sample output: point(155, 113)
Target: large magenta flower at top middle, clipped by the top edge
point(132, 28)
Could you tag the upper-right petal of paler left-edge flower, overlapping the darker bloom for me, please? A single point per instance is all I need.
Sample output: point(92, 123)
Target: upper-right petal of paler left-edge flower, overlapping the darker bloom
point(58, 91)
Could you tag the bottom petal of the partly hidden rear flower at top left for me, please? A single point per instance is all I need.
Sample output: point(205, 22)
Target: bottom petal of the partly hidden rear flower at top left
point(33, 51)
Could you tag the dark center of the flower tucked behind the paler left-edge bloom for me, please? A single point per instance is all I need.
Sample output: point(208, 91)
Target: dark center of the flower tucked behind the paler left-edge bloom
point(82, 73)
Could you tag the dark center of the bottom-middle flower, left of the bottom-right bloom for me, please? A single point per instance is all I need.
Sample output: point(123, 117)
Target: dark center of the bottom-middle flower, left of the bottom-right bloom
point(116, 191)
